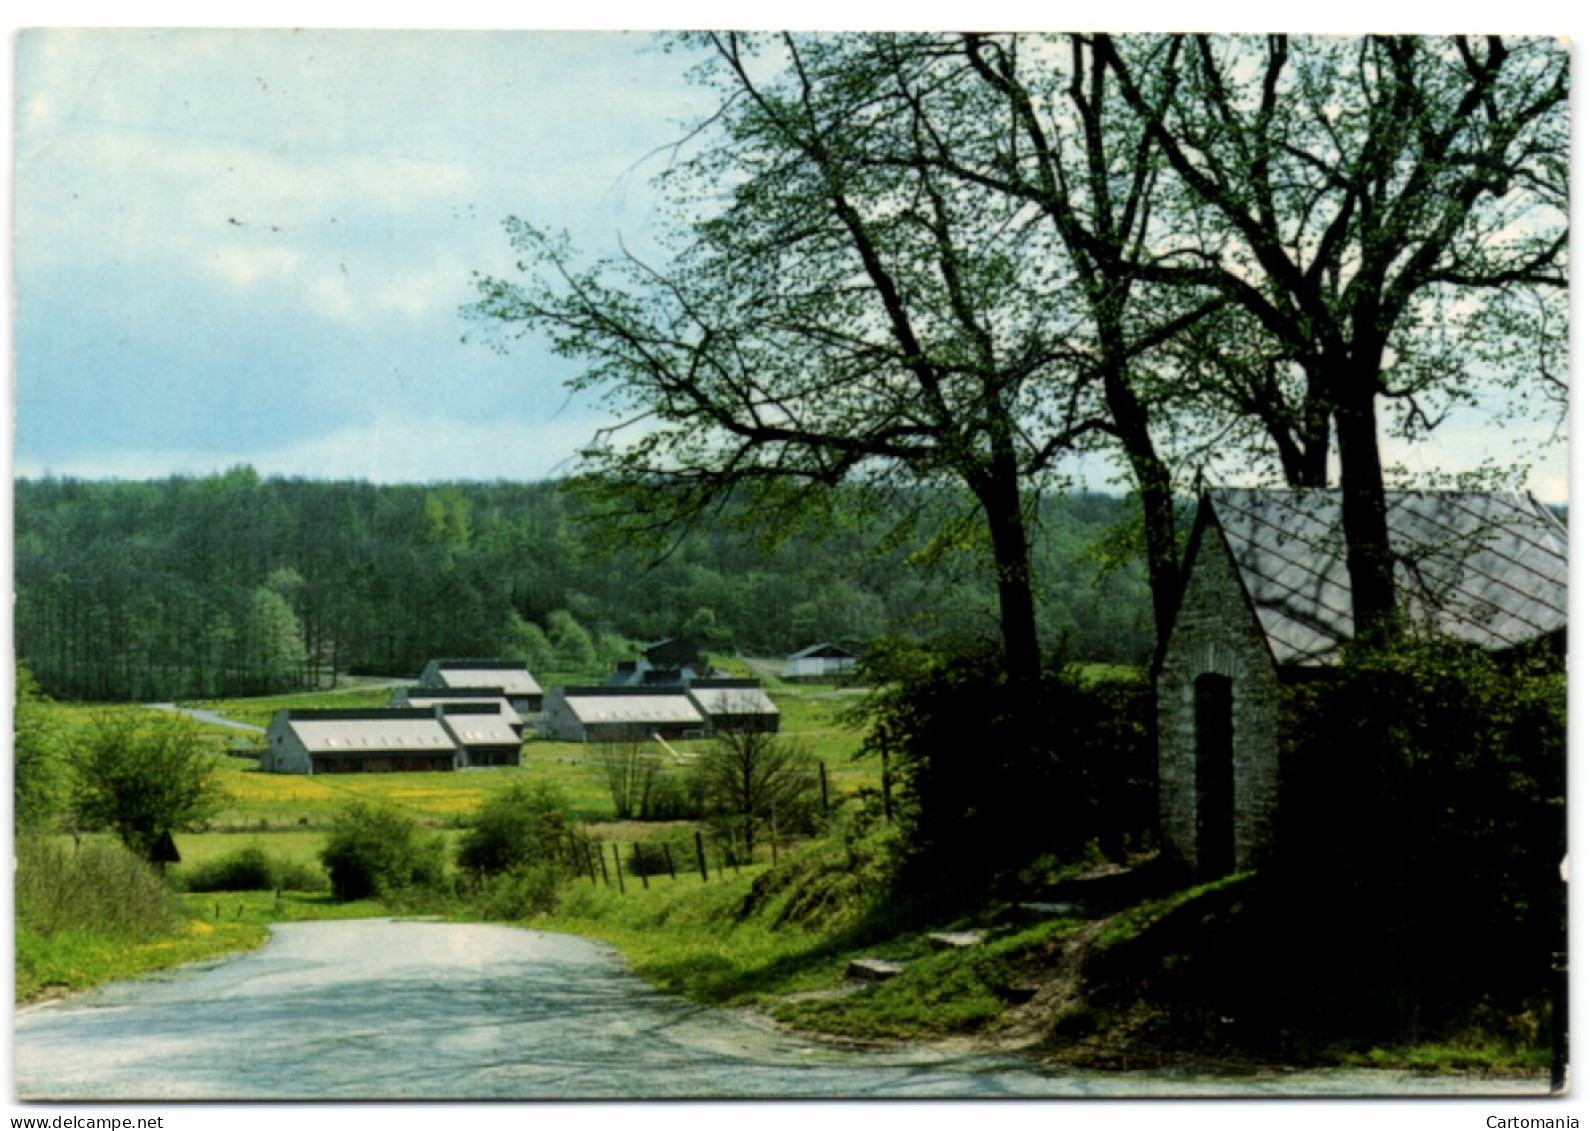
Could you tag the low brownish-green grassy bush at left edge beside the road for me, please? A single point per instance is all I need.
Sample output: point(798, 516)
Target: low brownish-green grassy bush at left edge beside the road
point(96, 887)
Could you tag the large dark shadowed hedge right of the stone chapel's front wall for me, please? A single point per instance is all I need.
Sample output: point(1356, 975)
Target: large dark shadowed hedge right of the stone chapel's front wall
point(1429, 798)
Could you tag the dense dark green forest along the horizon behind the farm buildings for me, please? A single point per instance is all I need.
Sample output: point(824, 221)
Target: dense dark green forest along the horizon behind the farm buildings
point(238, 585)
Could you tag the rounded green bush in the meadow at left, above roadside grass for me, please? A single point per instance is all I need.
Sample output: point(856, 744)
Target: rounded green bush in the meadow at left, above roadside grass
point(142, 777)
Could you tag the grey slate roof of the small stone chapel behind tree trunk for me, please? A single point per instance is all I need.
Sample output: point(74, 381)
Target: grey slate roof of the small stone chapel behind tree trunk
point(1487, 569)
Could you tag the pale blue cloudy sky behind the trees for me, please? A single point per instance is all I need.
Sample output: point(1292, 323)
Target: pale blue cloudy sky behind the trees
point(254, 246)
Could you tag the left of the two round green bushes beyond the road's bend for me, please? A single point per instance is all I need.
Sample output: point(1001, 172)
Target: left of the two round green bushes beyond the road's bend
point(381, 853)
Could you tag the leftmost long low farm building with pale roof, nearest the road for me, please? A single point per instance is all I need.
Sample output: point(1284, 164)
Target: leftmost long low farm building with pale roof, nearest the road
point(378, 740)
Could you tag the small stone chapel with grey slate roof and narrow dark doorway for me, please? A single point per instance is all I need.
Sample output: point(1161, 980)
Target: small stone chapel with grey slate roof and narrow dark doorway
point(1266, 600)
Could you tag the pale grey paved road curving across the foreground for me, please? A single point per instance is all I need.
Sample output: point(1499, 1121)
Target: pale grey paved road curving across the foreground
point(429, 1011)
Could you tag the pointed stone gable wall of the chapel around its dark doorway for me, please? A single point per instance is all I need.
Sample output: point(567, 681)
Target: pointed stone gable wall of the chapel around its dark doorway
point(1217, 634)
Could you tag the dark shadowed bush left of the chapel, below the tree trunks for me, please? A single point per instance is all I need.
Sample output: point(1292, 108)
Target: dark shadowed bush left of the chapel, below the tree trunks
point(987, 777)
